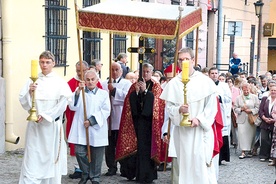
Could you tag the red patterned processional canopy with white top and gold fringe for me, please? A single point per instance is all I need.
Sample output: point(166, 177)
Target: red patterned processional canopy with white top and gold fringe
point(139, 18)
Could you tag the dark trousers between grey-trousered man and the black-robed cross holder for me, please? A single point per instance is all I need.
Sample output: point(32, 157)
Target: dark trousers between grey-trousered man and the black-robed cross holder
point(110, 151)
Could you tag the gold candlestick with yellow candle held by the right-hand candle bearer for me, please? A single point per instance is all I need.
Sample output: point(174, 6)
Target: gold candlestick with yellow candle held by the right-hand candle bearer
point(185, 80)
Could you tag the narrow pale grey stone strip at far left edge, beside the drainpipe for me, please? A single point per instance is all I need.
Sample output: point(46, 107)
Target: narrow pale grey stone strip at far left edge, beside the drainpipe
point(2, 115)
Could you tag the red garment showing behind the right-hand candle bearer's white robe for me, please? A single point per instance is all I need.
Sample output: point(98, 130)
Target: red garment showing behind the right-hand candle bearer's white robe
point(217, 129)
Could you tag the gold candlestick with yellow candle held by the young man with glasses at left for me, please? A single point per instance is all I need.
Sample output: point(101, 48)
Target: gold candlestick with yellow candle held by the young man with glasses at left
point(34, 77)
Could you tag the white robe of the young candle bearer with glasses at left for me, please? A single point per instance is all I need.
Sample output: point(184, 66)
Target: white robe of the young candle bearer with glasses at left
point(45, 155)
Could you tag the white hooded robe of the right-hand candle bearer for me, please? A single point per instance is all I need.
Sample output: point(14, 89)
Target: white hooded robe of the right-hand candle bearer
point(194, 146)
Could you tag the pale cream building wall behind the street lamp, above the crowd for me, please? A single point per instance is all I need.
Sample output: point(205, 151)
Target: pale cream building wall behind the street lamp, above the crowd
point(240, 12)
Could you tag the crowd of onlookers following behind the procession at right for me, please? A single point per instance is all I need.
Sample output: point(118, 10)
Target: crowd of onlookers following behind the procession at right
point(253, 97)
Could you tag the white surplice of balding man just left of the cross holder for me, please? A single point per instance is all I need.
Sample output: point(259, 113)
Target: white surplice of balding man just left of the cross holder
point(117, 102)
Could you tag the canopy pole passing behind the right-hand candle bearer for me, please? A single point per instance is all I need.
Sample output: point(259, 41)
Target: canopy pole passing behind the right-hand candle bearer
point(180, 8)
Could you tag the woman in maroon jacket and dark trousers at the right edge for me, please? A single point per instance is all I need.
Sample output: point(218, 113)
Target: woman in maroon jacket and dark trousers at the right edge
point(267, 124)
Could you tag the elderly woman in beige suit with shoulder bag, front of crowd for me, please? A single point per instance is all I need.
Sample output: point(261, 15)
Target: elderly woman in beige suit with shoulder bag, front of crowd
point(245, 104)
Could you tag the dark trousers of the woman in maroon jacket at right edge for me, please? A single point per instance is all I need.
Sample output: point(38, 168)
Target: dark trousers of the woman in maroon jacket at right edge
point(266, 140)
